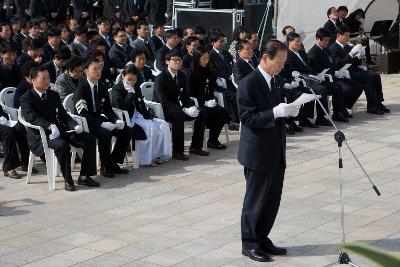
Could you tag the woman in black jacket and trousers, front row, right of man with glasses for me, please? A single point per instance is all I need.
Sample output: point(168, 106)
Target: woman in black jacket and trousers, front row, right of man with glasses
point(201, 84)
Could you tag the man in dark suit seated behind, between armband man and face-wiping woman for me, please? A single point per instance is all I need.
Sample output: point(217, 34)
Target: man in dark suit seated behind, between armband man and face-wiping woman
point(119, 52)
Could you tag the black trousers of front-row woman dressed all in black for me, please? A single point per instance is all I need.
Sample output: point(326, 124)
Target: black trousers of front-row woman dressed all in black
point(217, 117)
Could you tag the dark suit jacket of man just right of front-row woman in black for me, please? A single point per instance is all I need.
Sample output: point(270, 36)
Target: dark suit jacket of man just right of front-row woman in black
point(221, 67)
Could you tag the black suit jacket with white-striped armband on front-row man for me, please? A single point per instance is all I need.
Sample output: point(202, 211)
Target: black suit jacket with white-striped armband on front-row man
point(83, 103)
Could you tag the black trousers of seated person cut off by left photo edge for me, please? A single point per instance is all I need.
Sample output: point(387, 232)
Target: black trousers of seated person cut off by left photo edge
point(10, 138)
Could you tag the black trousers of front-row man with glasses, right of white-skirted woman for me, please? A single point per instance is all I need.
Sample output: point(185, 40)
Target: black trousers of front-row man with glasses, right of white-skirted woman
point(177, 118)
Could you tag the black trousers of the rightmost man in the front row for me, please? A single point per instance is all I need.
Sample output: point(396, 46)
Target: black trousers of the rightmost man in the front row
point(372, 85)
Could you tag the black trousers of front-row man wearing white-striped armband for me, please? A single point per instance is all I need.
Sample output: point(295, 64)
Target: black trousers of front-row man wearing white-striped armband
point(124, 136)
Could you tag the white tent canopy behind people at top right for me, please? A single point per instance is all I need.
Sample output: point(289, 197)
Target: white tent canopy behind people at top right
point(306, 16)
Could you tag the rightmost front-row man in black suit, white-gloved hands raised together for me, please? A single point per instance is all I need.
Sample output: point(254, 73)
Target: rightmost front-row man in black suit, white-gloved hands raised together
point(343, 54)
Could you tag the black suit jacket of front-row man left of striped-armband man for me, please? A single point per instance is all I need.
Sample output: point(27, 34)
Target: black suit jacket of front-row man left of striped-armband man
point(37, 112)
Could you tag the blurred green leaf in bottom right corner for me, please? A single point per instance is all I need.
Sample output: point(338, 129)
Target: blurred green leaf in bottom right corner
point(379, 256)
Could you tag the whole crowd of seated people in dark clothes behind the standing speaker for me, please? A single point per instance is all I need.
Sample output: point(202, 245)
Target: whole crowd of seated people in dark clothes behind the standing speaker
point(48, 58)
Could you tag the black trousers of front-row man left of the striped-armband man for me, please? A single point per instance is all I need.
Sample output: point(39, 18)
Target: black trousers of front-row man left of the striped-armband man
point(62, 149)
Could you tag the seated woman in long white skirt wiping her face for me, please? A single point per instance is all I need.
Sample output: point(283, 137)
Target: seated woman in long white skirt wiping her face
point(154, 134)
